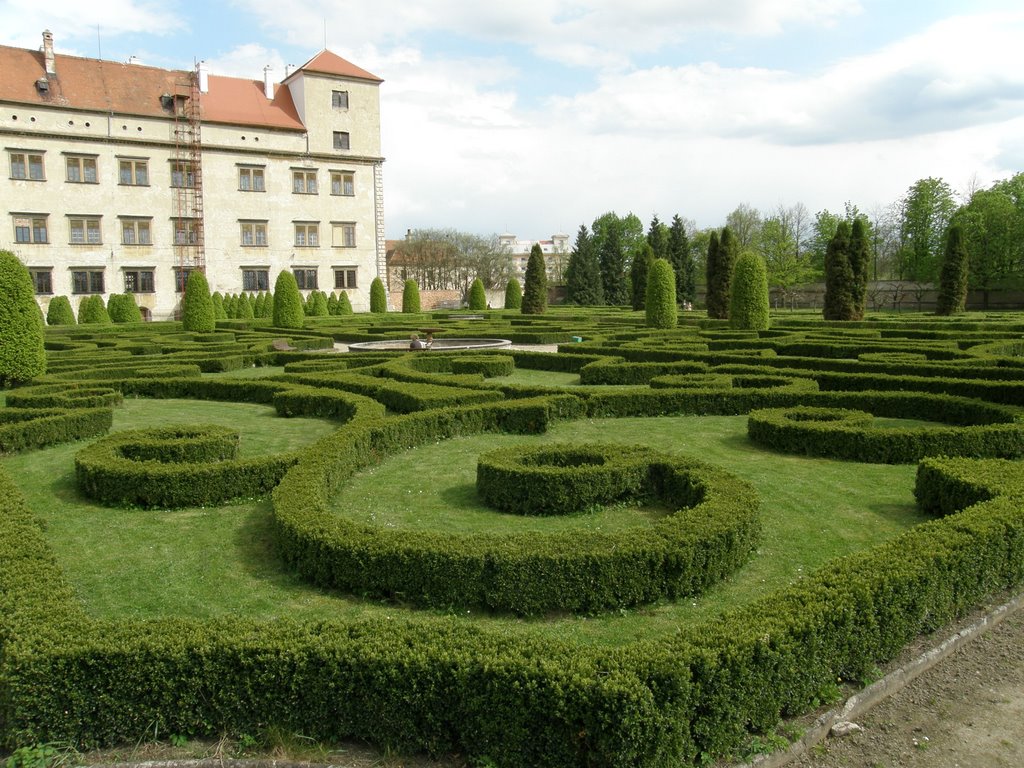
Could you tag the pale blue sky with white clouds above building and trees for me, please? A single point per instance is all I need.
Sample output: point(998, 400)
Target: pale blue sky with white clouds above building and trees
point(535, 117)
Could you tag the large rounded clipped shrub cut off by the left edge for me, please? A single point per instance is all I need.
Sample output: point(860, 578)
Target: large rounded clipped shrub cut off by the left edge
point(22, 355)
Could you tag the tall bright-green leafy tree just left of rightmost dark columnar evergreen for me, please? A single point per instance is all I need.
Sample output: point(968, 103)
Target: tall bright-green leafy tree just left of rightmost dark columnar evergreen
point(926, 211)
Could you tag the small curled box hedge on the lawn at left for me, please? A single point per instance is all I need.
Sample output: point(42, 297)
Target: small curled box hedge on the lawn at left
point(175, 467)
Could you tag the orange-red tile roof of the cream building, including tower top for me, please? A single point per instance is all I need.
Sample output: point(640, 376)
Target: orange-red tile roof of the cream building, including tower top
point(135, 90)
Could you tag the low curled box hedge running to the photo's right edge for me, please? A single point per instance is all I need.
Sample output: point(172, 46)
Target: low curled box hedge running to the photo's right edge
point(840, 434)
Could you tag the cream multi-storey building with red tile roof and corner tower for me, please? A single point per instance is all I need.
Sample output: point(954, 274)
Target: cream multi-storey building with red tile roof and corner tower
point(119, 178)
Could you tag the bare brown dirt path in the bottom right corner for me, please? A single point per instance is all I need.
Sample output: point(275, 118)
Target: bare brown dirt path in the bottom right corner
point(966, 712)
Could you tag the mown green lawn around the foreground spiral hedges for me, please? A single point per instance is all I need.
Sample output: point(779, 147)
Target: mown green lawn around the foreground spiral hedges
point(209, 563)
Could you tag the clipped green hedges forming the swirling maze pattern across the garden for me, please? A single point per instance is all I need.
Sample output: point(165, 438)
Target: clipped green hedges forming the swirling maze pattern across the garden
point(420, 681)
